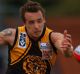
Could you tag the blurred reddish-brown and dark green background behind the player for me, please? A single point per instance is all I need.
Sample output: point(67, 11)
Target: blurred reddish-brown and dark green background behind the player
point(60, 15)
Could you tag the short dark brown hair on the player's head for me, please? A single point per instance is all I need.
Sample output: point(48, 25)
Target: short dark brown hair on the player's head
point(31, 6)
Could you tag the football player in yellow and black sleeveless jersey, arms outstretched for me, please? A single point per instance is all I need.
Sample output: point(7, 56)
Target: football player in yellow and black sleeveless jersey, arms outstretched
point(33, 47)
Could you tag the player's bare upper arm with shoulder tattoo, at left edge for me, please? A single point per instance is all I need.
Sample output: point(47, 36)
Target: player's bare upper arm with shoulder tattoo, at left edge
point(7, 36)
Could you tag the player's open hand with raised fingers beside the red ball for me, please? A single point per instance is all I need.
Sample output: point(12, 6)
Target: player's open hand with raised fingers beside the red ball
point(67, 48)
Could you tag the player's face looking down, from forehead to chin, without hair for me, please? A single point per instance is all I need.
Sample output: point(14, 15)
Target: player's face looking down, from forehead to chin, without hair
point(34, 23)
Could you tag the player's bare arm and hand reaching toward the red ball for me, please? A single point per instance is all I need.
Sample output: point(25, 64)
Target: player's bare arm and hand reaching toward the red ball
point(62, 42)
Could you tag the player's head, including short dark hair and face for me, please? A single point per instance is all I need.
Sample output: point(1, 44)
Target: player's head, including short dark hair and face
point(33, 16)
